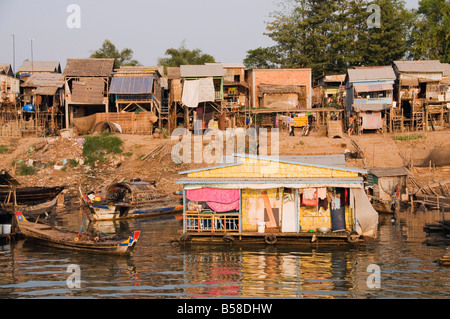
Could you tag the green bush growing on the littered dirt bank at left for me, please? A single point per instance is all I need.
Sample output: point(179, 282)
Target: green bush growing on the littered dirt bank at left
point(96, 147)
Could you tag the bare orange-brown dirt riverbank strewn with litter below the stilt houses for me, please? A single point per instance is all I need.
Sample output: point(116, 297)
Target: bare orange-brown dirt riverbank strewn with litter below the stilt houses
point(59, 161)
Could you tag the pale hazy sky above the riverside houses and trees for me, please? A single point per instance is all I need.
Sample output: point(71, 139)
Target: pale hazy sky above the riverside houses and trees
point(224, 29)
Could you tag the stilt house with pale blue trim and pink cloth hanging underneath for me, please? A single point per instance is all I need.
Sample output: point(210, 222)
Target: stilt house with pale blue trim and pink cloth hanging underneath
point(369, 96)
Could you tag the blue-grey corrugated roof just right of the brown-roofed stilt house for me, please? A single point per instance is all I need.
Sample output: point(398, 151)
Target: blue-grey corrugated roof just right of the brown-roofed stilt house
point(131, 85)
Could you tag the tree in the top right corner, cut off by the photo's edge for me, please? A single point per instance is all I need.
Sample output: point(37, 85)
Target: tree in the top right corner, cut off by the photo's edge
point(431, 34)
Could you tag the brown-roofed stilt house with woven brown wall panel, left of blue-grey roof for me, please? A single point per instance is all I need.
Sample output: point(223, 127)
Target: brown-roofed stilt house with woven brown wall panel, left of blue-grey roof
point(86, 87)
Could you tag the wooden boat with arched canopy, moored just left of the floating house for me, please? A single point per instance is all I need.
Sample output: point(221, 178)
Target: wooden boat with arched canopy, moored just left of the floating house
point(135, 199)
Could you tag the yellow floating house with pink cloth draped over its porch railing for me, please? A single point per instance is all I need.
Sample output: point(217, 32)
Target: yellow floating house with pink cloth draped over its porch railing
point(272, 200)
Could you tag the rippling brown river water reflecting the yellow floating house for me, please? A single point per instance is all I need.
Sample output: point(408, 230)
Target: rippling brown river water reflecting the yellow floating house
point(396, 265)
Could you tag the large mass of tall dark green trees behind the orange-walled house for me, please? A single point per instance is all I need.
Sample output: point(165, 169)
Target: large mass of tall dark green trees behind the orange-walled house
point(329, 36)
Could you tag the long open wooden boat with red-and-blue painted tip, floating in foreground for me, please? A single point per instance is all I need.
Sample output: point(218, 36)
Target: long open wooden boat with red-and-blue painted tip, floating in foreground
point(80, 241)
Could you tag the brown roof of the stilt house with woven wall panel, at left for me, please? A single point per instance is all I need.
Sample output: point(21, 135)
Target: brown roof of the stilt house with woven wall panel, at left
point(89, 67)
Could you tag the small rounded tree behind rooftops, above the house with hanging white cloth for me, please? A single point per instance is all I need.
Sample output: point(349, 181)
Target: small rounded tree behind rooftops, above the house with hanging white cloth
point(184, 56)
